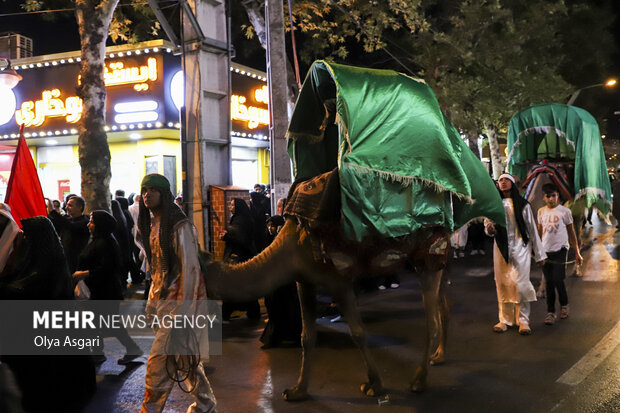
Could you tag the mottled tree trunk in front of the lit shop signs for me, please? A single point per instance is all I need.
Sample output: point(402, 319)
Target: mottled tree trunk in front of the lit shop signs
point(94, 17)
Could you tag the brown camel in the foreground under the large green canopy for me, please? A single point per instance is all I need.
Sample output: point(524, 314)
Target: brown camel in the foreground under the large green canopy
point(293, 257)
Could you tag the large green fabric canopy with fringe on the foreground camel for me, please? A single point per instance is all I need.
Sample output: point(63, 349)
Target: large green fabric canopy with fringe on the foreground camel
point(401, 164)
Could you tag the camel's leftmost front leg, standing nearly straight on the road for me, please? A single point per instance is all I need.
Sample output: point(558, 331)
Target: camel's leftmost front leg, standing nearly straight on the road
point(307, 299)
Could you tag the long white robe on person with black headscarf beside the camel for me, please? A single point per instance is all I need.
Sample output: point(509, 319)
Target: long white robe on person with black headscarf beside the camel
point(512, 278)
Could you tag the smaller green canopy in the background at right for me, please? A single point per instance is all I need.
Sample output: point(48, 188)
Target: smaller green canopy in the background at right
point(561, 132)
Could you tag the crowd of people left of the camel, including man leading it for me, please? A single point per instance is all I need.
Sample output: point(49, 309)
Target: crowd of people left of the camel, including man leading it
point(144, 238)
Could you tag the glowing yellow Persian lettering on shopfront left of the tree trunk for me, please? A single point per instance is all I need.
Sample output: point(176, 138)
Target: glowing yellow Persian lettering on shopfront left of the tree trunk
point(50, 106)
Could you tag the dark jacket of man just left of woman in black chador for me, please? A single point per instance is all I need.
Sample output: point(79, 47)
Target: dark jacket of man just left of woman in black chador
point(73, 236)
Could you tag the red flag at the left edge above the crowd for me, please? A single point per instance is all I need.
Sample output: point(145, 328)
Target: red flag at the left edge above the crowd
point(24, 194)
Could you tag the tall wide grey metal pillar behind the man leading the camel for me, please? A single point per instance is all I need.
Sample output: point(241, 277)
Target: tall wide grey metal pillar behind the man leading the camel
point(206, 149)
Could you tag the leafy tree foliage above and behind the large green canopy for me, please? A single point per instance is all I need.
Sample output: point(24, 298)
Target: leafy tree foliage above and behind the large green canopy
point(485, 59)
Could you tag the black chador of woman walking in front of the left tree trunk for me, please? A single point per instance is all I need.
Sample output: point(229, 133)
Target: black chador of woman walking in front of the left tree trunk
point(102, 259)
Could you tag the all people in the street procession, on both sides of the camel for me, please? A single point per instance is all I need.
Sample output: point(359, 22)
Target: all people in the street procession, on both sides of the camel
point(147, 238)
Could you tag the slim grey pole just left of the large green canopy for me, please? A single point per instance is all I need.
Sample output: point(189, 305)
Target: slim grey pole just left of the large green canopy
point(278, 104)
